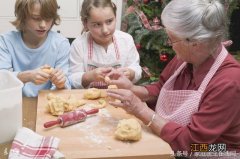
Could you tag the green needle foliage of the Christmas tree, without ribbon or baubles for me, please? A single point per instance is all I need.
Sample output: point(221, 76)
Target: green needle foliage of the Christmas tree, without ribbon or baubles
point(152, 43)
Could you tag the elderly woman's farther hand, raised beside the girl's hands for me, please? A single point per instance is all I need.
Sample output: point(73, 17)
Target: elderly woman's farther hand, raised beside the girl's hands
point(119, 79)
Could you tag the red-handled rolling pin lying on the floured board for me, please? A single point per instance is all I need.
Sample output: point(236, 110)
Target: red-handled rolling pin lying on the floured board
point(70, 118)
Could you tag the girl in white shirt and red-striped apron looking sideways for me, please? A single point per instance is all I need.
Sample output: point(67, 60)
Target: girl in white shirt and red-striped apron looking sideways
point(101, 48)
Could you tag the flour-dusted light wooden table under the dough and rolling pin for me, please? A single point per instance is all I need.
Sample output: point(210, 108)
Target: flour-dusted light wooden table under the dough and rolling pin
point(111, 150)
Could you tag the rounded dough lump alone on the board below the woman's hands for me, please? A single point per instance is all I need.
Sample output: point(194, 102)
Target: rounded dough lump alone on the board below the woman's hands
point(128, 130)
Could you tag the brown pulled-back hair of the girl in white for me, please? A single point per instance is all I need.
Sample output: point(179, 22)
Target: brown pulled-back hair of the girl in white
point(87, 5)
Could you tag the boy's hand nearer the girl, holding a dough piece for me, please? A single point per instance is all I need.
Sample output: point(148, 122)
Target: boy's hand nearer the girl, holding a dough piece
point(58, 78)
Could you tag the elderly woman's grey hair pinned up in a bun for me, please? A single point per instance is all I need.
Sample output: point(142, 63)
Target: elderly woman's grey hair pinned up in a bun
point(195, 19)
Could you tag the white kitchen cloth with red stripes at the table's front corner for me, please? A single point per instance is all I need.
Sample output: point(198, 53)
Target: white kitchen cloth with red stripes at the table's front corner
point(29, 145)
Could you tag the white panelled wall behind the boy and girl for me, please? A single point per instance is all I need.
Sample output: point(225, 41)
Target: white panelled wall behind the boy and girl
point(69, 11)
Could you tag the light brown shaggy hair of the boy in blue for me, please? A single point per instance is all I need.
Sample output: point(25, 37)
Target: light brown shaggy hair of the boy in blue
point(23, 9)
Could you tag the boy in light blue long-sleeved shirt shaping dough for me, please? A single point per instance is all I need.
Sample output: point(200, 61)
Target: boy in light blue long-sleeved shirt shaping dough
point(34, 46)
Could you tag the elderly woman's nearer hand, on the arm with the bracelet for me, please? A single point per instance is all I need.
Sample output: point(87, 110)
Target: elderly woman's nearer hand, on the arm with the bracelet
point(129, 101)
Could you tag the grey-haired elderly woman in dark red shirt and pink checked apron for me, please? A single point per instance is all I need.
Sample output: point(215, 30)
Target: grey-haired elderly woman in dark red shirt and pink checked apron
point(198, 94)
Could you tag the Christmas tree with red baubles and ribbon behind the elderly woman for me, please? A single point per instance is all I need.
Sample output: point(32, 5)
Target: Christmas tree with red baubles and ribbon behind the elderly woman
point(142, 20)
